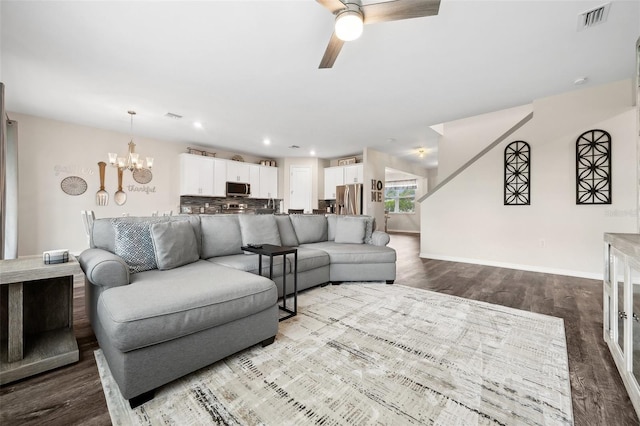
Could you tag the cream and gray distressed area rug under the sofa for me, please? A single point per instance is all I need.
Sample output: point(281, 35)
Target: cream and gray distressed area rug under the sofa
point(362, 354)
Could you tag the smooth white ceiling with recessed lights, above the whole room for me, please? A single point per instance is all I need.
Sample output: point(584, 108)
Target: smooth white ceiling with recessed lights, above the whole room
point(249, 69)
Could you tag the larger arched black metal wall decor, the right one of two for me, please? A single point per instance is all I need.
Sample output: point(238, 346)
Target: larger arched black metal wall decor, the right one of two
point(593, 168)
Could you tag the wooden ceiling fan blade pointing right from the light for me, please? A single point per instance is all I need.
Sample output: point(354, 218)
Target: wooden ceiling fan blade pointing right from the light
point(400, 9)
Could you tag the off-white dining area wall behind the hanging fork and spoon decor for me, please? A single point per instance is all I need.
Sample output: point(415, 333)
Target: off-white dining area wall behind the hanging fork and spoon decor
point(50, 150)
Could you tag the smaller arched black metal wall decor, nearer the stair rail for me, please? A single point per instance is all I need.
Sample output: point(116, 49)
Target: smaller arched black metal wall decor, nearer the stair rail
point(517, 167)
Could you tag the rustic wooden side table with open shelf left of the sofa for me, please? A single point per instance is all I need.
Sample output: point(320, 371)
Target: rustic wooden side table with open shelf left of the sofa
point(37, 316)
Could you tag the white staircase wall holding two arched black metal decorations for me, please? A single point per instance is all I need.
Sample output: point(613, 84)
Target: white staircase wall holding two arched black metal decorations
point(467, 221)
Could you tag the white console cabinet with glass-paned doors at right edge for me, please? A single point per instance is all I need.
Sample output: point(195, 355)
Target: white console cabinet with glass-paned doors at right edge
point(621, 307)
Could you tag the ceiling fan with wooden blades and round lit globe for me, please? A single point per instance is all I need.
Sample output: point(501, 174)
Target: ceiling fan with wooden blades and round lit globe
point(351, 15)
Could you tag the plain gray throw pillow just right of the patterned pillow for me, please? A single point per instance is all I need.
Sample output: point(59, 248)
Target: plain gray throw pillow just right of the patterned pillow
point(175, 244)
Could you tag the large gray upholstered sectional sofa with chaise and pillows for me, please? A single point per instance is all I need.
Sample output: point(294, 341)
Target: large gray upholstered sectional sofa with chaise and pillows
point(169, 295)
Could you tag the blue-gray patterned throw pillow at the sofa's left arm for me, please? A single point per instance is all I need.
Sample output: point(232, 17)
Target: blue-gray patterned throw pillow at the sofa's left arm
point(134, 244)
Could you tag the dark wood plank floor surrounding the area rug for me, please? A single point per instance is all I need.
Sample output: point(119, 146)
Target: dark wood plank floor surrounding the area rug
point(73, 394)
